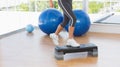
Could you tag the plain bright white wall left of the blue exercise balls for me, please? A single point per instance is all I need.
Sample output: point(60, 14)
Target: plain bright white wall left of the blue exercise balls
point(10, 21)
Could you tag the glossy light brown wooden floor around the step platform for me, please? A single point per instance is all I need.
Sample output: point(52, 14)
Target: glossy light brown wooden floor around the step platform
point(37, 50)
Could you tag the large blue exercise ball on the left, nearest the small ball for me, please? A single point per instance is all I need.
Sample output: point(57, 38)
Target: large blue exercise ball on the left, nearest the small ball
point(49, 19)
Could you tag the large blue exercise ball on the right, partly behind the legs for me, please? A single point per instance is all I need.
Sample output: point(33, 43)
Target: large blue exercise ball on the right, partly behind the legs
point(82, 23)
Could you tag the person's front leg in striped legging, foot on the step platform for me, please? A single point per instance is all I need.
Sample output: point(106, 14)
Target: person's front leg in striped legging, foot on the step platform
point(67, 9)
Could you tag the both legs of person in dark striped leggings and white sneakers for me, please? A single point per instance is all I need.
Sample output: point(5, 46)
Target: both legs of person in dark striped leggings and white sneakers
point(66, 6)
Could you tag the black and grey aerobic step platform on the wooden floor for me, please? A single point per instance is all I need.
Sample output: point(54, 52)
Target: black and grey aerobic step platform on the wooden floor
point(90, 48)
